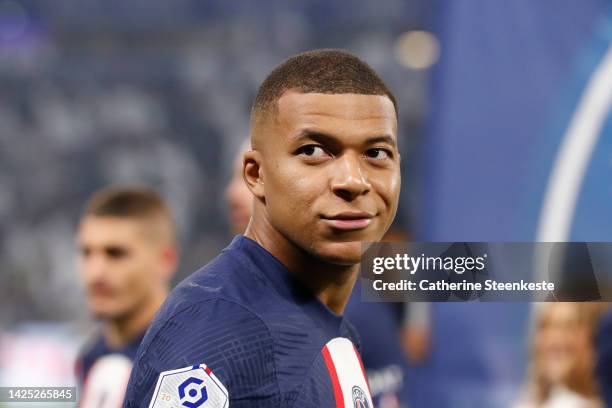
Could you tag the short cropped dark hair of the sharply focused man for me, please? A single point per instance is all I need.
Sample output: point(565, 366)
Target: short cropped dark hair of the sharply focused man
point(331, 71)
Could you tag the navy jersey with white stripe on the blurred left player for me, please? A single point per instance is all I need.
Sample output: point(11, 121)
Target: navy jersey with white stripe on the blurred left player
point(103, 373)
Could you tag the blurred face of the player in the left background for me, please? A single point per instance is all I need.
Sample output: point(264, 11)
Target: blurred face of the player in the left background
point(119, 265)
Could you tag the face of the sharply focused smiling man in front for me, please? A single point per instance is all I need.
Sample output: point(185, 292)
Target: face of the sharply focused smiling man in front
point(331, 172)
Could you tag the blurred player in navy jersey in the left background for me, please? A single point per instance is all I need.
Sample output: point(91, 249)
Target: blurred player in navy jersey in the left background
point(128, 254)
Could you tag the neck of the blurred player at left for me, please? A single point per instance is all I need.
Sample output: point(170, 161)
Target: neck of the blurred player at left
point(121, 331)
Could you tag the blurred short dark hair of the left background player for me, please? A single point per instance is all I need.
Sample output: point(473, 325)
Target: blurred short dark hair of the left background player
point(132, 202)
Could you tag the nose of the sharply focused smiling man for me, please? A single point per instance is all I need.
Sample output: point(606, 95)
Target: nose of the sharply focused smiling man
point(349, 180)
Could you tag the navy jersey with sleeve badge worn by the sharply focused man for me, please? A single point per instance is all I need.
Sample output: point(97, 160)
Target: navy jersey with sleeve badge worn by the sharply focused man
point(242, 331)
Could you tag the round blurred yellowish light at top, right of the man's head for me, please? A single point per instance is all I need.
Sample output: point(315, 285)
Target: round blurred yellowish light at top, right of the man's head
point(417, 49)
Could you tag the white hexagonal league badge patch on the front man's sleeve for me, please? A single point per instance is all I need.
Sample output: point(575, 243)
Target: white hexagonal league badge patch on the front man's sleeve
point(189, 387)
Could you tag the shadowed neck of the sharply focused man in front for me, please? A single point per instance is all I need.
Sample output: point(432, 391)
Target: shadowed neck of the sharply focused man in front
point(331, 283)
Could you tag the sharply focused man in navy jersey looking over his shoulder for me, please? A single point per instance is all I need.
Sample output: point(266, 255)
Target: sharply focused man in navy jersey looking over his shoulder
point(261, 325)
